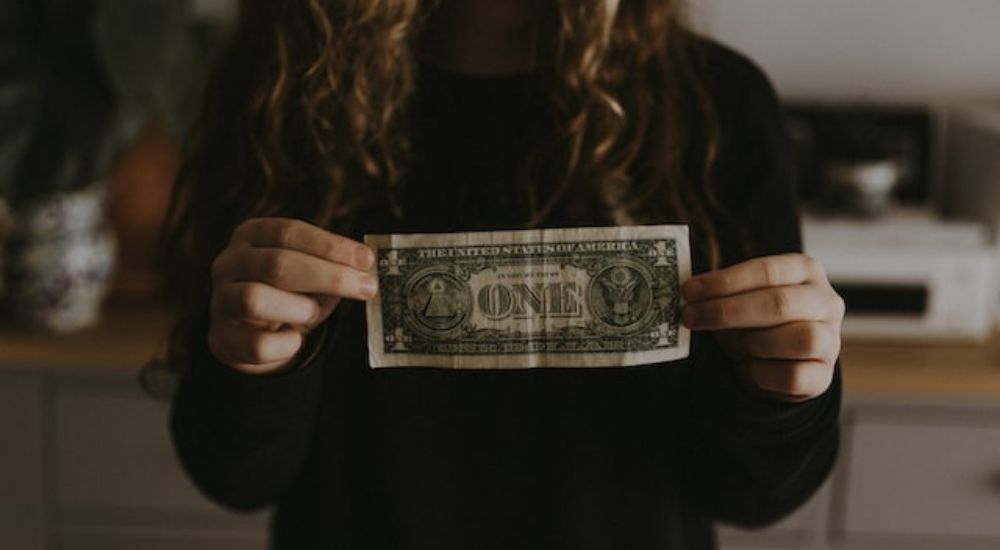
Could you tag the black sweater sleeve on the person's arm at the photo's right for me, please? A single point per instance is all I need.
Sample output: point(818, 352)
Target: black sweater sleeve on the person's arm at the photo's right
point(751, 461)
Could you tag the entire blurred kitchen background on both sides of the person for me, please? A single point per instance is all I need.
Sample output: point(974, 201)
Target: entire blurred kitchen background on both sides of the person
point(894, 111)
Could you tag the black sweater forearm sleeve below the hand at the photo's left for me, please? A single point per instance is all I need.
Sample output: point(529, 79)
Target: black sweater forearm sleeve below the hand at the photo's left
point(244, 438)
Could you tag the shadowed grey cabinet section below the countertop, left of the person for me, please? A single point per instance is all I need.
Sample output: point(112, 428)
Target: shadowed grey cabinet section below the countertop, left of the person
point(88, 464)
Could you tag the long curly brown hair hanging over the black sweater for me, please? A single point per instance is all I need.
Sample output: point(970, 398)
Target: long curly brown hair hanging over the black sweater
point(307, 119)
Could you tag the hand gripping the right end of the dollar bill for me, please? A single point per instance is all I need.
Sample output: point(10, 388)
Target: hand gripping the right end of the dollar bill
point(777, 317)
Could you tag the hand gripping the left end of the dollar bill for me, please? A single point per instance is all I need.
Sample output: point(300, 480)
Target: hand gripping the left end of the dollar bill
point(276, 280)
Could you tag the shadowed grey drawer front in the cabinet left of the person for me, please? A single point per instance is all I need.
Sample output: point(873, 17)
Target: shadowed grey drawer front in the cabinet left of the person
point(114, 461)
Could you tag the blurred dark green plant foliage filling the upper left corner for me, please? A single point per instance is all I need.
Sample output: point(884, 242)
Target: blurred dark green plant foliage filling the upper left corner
point(80, 78)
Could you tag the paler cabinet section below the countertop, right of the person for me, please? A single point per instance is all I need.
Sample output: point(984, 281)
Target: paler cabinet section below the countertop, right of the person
point(910, 476)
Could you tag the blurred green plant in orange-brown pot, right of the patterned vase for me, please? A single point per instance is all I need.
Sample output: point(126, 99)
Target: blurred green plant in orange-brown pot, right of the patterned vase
point(157, 55)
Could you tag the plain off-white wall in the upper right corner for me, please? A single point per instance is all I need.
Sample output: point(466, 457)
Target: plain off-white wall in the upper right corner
point(913, 51)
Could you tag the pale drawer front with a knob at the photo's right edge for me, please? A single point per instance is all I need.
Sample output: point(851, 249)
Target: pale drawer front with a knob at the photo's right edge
point(921, 477)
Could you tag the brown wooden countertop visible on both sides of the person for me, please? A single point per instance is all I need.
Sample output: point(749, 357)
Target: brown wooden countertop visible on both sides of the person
point(129, 336)
